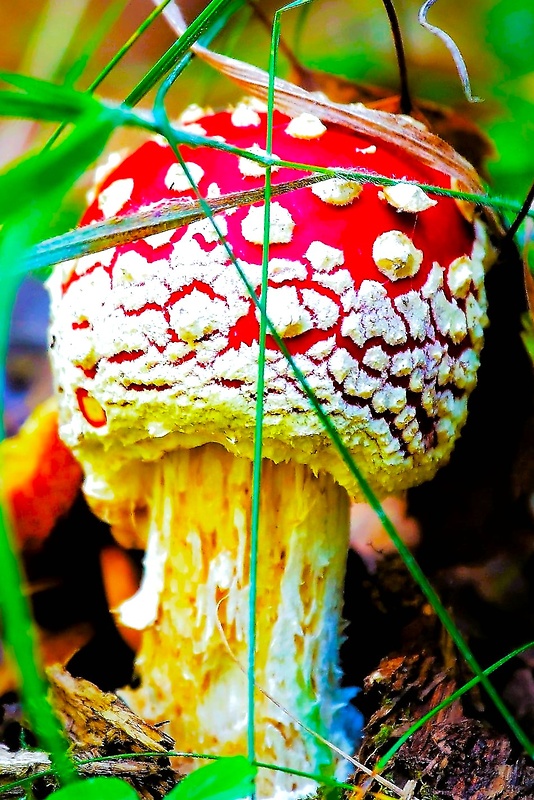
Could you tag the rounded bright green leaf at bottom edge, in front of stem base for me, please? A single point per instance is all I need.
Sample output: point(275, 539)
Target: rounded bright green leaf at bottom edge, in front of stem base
point(226, 779)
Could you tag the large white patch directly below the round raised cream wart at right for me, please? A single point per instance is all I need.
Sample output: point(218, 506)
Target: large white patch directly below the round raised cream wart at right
point(373, 316)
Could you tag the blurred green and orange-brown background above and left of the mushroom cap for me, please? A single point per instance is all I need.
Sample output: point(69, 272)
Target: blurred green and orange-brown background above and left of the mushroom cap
point(53, 39)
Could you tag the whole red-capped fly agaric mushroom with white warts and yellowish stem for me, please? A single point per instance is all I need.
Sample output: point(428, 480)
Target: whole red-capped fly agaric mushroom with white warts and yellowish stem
point(379, 297)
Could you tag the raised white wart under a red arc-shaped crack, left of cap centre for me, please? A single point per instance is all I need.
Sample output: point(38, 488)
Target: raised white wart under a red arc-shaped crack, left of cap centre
point(197, 315)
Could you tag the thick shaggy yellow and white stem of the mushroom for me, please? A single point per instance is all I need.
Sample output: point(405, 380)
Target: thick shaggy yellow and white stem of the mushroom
point(197, 509)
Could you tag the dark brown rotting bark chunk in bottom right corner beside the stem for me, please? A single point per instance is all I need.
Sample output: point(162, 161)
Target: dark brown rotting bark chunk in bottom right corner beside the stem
point(457, 755)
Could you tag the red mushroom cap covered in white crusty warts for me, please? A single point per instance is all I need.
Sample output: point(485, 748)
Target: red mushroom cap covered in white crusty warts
point(376, 291)
